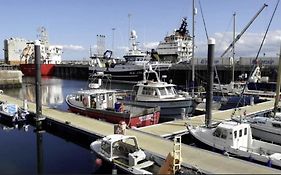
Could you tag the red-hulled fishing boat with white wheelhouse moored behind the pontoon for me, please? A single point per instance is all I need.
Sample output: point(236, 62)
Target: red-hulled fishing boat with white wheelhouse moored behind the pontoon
point(102, 104)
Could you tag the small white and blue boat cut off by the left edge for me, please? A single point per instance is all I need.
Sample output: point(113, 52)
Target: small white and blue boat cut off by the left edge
point(12, 112)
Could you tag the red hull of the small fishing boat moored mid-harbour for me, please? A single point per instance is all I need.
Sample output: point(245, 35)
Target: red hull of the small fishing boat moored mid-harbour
point(112, 117)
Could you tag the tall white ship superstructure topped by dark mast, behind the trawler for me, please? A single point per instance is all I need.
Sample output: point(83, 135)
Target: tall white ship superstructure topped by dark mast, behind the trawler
point(176, 47)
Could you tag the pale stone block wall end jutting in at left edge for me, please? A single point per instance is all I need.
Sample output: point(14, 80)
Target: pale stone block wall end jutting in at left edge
point(10, 78)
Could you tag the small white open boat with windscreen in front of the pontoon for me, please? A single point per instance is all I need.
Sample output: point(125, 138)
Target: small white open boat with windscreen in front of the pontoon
point(124, 152)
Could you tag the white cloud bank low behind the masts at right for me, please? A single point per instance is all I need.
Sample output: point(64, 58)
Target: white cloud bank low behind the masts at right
point(247, 45)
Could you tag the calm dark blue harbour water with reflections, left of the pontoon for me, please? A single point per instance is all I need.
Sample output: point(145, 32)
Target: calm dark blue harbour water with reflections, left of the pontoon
point(24, 151)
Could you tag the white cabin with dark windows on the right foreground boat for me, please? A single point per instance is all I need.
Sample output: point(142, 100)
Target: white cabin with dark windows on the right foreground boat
point(236, 135)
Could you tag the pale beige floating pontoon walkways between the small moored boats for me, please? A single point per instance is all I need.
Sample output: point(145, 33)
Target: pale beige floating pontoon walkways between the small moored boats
point(206, 161)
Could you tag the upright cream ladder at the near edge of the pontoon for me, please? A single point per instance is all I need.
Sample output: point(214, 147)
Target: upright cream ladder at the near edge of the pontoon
point(177, 153)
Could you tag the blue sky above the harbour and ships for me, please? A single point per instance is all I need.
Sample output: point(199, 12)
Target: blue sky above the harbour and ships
point(74, 24)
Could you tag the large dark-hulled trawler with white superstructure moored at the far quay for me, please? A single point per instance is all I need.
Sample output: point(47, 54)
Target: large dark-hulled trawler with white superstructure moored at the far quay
point(132, 69)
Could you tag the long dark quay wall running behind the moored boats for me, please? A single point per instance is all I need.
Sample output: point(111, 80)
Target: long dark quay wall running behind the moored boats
point(180, 74)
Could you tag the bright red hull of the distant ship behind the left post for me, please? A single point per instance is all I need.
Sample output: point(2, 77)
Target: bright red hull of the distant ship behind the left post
point(29, 69)
